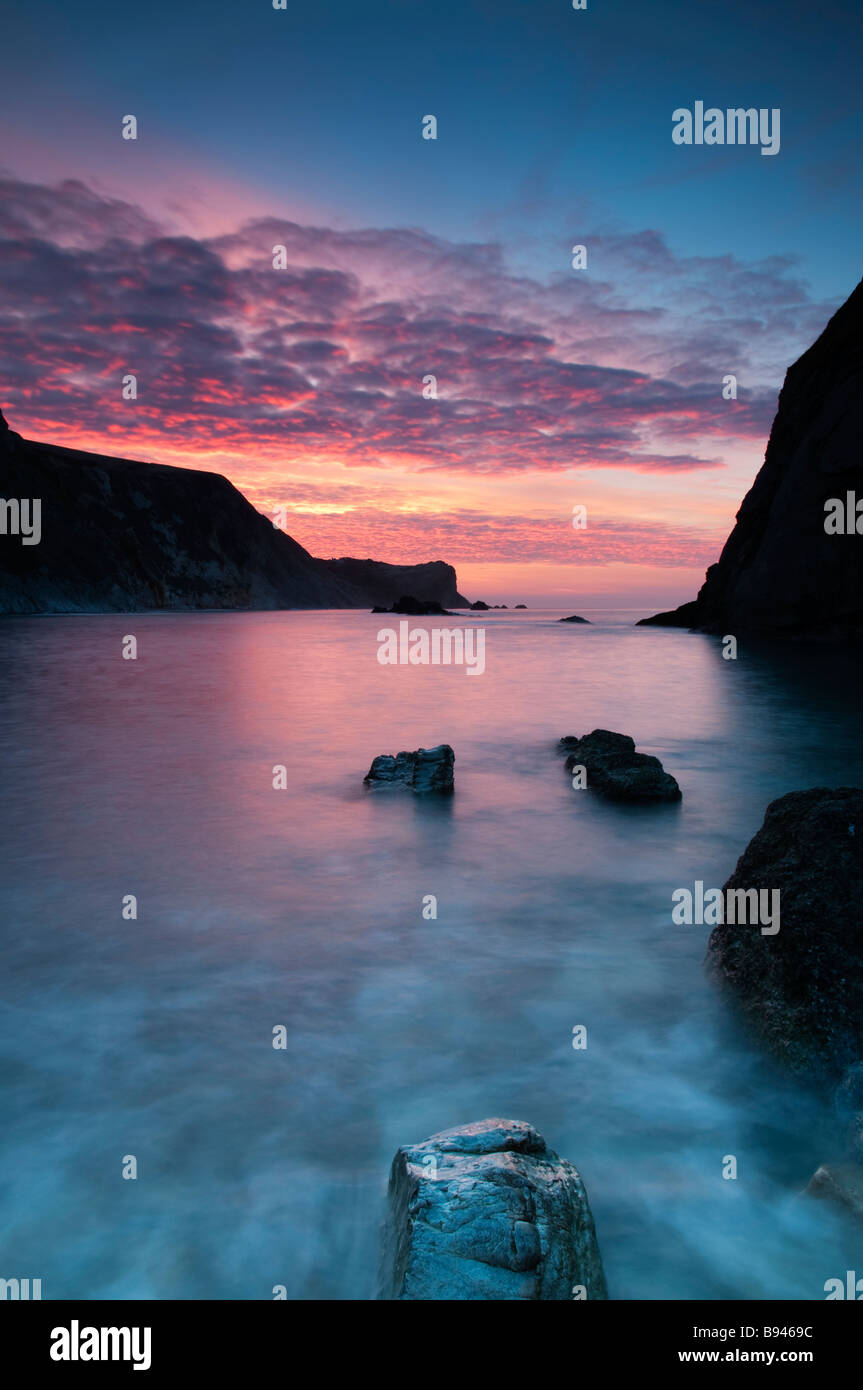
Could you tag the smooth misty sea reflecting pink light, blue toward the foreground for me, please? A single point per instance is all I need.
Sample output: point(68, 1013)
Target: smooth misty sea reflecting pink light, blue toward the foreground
point(304, 908)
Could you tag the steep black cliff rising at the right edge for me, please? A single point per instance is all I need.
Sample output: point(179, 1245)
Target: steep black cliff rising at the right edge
point(782, 573)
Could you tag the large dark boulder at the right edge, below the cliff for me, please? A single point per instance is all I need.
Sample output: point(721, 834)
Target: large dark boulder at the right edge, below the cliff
point(803, 989)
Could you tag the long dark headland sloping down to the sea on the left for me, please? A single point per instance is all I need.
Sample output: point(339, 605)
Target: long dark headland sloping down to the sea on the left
point(123, 536)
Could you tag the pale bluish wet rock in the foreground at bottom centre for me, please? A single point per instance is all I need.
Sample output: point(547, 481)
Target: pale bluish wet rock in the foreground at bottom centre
point(487, 1211)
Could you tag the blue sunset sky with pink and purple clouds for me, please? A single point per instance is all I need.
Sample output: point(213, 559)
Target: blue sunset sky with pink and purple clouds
point(408, 259)
